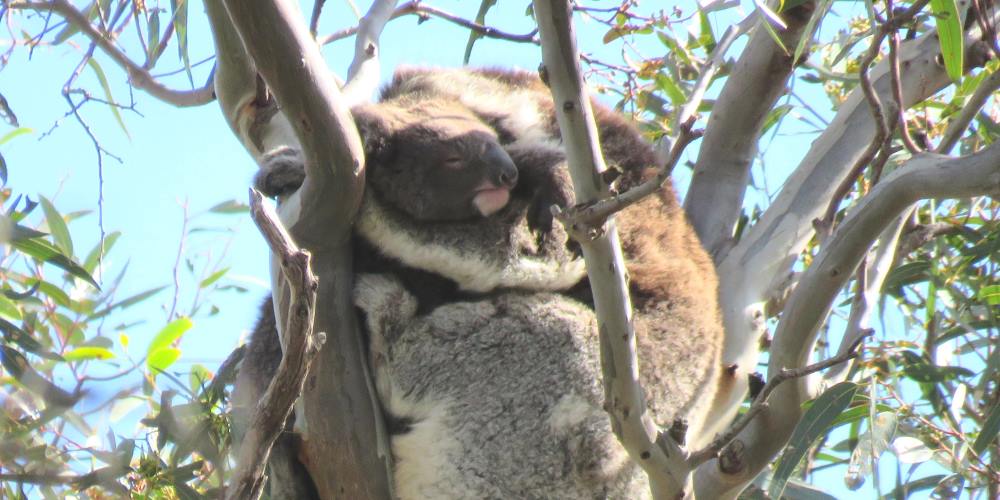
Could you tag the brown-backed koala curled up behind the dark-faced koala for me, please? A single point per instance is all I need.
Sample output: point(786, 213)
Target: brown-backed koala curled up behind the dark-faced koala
point(672, 280)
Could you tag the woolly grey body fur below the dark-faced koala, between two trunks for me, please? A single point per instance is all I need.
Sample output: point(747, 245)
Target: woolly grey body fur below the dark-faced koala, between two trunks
point(499, 398)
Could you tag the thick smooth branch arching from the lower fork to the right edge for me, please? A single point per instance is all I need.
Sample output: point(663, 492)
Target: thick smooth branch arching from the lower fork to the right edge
point(924, 176)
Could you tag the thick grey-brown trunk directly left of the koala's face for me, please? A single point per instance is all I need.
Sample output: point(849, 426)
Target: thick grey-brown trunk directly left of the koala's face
point(344, 445)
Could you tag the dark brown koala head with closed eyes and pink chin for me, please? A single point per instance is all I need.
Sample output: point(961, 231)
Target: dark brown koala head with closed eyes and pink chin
point(434, 160)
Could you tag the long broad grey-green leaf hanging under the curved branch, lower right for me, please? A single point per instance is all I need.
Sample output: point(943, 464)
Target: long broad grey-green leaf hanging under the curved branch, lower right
point(814, 423)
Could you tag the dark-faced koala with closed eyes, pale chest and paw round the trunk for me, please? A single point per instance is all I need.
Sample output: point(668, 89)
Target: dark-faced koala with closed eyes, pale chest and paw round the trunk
point(442, 212)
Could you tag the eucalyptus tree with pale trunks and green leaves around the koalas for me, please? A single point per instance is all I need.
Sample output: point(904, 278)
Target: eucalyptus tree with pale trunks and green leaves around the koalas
point(854, 225)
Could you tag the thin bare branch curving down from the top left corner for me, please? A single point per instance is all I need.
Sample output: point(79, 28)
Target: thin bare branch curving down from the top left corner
point(138, 76)
